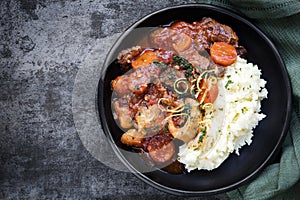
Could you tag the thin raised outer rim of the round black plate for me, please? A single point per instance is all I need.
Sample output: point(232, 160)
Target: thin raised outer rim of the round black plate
point(254, 174)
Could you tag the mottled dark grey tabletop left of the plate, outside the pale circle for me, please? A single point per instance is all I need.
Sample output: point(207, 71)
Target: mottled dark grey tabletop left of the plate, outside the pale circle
point(43, 44)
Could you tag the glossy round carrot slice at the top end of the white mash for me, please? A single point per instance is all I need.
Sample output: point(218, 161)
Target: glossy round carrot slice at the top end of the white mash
point(223, 53)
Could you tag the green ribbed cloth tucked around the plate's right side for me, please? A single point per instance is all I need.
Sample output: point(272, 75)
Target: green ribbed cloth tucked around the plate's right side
point(280, 21)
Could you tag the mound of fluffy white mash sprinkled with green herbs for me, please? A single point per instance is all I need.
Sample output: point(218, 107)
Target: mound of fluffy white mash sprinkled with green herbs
point(236, 114)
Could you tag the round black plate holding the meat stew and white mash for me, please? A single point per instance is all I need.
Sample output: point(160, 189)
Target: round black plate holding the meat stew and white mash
point(268, 136)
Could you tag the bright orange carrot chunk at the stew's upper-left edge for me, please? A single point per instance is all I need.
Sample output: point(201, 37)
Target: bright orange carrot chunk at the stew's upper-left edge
point(144, 59)
